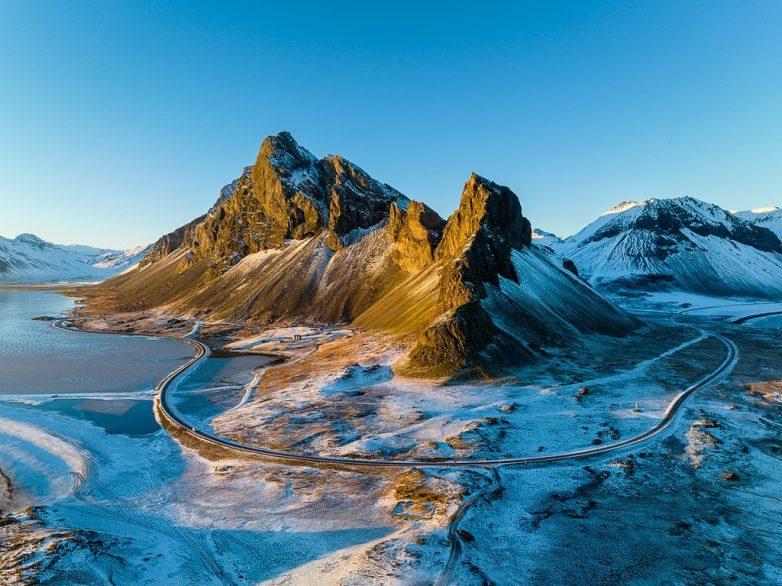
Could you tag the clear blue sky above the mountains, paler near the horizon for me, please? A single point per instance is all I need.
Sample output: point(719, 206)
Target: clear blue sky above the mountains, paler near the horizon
point(120, 121)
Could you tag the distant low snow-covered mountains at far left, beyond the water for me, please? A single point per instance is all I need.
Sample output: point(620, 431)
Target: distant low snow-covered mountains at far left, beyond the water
point(29, 259)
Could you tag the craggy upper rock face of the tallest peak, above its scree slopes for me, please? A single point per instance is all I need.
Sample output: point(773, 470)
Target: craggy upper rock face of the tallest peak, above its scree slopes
point(288, 194)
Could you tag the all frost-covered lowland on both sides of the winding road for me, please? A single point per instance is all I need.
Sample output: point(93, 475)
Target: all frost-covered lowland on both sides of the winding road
point(87, 501)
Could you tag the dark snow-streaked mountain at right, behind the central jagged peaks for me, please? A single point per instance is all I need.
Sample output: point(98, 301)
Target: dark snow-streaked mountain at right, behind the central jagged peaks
point(681, 243)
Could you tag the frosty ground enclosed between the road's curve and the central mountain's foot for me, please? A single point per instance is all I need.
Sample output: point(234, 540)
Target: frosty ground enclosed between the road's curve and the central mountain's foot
point(344, 400)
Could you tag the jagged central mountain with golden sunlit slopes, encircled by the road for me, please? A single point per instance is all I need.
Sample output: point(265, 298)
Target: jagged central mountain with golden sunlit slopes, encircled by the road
point(301, 239)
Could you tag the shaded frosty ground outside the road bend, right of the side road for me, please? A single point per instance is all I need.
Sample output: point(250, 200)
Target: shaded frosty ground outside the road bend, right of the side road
point(698, 505)
